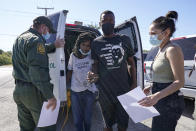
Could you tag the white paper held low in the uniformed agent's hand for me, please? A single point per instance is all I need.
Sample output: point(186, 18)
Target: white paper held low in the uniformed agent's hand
point(47, 116)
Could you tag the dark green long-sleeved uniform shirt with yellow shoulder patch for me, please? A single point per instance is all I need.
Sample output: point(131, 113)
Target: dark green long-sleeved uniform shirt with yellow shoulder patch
point(30, 61)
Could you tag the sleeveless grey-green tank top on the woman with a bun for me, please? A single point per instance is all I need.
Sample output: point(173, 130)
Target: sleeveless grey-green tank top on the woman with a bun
point(161, 69)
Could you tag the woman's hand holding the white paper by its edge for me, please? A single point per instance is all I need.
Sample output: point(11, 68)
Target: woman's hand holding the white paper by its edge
point(149, 100)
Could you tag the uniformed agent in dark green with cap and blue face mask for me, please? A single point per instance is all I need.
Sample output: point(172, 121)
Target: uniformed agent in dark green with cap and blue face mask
point(31, 73)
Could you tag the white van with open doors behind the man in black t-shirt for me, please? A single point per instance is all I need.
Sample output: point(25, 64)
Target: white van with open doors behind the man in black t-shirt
point(58, 59)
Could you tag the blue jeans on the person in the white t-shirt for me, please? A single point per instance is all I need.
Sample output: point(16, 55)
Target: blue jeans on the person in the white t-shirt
point(82, 104)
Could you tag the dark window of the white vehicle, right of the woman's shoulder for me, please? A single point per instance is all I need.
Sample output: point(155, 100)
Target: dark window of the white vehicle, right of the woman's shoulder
point(188, 47)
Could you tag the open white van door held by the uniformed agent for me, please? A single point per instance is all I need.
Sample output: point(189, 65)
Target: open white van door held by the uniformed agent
point(57, 59)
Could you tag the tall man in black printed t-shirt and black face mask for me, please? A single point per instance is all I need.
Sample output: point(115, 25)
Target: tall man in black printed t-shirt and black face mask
point(112, 53)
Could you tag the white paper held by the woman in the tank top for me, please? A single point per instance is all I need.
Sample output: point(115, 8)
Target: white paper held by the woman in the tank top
point(138, 113)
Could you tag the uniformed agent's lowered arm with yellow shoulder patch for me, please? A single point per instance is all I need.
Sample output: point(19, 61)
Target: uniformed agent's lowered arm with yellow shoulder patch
point(39, 72)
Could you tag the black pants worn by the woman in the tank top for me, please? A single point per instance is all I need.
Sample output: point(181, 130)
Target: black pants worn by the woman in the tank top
point(170, 109)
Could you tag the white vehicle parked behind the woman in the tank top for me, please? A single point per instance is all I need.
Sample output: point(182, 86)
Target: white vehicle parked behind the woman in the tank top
point(188, 46)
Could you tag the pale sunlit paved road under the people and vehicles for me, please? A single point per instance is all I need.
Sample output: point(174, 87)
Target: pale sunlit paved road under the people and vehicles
point(9, 122)
